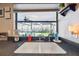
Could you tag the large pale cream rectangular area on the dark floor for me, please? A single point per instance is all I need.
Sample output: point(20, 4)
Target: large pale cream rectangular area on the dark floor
point(40, 48)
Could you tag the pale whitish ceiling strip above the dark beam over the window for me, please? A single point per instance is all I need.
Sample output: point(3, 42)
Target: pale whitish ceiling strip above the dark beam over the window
point(36, 6)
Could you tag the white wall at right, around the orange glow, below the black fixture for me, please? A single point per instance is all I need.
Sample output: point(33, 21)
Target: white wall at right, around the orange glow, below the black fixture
point(65, 21)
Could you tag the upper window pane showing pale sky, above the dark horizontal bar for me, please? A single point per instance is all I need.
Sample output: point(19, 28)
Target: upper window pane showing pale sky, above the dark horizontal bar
point(37, 16)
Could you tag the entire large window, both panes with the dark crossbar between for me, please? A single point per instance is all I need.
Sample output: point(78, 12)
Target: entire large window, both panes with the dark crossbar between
point(36, 23)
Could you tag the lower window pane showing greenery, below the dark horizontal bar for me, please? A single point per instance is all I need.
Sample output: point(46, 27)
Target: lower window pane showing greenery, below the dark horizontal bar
point(36, 29)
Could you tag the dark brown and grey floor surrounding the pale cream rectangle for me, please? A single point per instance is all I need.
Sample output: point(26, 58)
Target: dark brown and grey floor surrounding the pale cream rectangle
point(7, 48)
